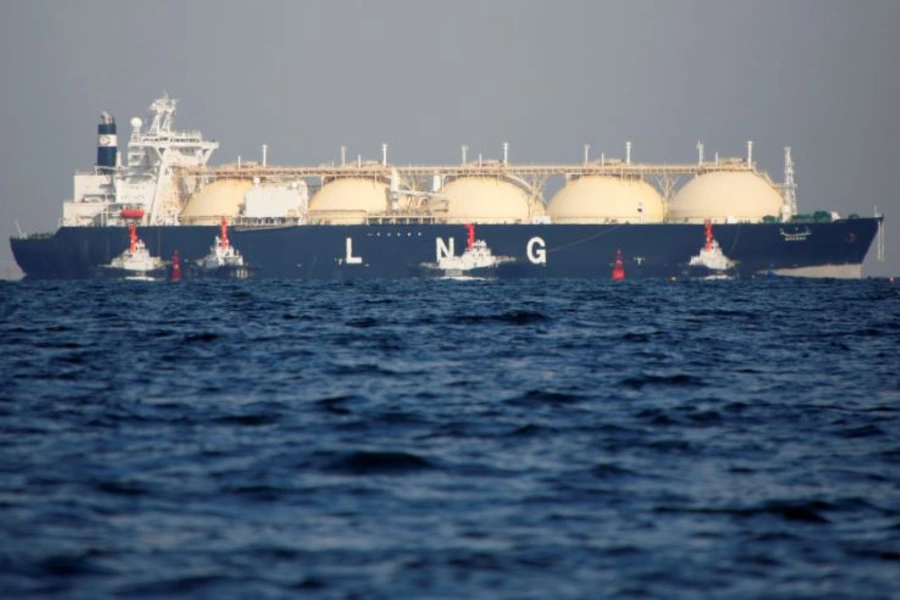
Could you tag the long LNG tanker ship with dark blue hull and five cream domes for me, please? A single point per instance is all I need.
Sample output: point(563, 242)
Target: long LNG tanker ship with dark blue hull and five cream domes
point(608, 217)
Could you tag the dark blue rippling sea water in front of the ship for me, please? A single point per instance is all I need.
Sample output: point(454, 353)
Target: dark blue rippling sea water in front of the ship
point(442, 439)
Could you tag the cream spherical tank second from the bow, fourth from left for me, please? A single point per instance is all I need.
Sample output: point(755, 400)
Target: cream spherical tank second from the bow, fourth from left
point(604, 199)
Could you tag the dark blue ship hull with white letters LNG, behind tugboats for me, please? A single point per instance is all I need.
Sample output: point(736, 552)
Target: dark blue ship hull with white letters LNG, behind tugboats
point(397, 251)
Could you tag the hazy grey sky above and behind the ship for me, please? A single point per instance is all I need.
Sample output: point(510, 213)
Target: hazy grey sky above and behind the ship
point(426, 77)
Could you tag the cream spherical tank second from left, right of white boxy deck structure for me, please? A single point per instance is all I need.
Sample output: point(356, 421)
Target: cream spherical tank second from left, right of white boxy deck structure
point(348, 201)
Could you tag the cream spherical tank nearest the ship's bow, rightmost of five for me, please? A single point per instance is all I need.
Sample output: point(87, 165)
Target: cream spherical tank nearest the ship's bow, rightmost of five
point(725, 196)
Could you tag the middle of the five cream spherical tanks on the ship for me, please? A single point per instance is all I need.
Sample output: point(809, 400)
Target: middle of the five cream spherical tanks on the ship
point(482, 200)
